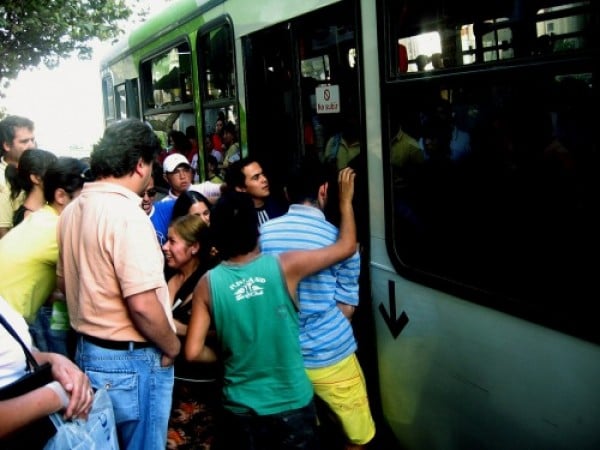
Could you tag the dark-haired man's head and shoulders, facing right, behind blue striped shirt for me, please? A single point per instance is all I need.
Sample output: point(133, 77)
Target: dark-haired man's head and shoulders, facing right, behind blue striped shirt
point(246, 175)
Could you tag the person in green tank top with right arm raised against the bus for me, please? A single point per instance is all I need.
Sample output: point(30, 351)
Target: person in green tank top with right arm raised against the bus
point(268, 397)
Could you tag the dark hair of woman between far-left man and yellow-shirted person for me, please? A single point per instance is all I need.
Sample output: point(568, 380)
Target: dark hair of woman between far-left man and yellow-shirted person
point(32, 162)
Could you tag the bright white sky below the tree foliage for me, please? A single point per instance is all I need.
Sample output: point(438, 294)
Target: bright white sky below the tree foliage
point(65, 103)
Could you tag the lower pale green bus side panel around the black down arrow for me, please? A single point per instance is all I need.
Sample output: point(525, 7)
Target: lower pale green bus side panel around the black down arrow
point(463, 376)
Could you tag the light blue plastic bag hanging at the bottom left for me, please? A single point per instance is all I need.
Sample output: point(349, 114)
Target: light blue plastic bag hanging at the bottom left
point(98, 432)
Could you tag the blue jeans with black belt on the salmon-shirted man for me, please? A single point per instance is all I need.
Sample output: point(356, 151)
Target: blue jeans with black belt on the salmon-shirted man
point(140, 389)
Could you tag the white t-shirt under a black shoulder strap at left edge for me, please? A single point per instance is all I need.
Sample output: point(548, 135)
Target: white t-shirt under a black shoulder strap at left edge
point(12, 357)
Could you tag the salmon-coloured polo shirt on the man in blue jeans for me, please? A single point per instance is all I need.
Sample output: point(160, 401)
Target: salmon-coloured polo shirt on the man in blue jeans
point(108, 252)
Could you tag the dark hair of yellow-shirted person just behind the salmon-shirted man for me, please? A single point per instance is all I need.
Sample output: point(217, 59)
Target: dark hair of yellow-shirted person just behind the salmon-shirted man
point(65, 173)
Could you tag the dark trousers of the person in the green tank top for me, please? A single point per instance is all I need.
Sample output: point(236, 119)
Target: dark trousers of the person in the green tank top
point(289, 430)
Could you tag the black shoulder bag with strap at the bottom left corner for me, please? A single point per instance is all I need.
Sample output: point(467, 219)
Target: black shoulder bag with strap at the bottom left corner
point(37, 433)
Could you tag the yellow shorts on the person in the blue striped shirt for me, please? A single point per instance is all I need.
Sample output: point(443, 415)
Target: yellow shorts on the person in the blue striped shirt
point(342, 386)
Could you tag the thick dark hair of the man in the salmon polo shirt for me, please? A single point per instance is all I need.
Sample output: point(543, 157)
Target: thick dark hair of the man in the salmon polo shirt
point(121, 147)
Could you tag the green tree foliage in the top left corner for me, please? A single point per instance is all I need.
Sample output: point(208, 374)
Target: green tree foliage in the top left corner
point(44, 31)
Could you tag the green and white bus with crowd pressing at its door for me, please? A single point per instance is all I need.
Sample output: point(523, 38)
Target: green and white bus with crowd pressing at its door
point(477, 187)
